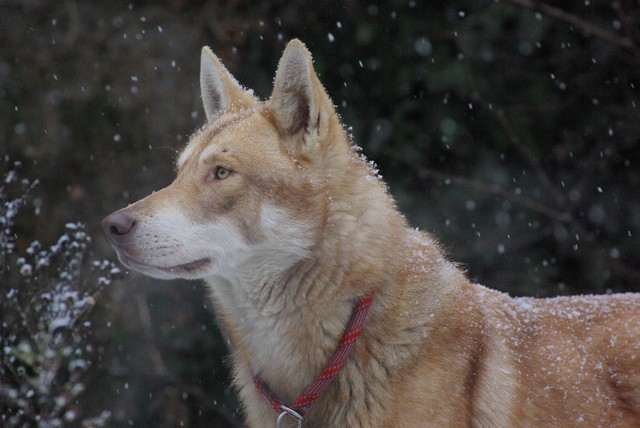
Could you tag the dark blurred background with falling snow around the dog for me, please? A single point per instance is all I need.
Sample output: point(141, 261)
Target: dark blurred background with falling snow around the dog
point(509, 129)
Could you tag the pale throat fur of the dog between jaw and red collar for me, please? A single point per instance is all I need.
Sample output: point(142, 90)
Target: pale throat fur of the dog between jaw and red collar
point(284, 326)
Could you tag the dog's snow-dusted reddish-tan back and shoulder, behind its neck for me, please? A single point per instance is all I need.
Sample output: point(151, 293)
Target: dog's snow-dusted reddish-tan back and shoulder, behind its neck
point(490, 360)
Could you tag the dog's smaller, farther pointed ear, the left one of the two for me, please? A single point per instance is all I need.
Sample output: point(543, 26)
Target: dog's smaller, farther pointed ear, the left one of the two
point(220, 90)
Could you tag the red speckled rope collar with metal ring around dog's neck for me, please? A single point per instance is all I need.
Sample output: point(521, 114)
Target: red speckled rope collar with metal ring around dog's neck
point(298, 409)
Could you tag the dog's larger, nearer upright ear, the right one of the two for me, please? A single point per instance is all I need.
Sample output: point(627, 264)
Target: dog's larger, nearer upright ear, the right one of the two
point(299, 102)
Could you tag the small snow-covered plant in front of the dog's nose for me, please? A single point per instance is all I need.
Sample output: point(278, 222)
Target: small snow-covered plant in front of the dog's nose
point(46, 296)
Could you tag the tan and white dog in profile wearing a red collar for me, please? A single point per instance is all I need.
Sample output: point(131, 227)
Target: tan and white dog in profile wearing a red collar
point(339, 313)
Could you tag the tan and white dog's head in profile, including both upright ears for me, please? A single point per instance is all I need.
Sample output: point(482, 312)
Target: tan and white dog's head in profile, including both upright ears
point(253, 182)
